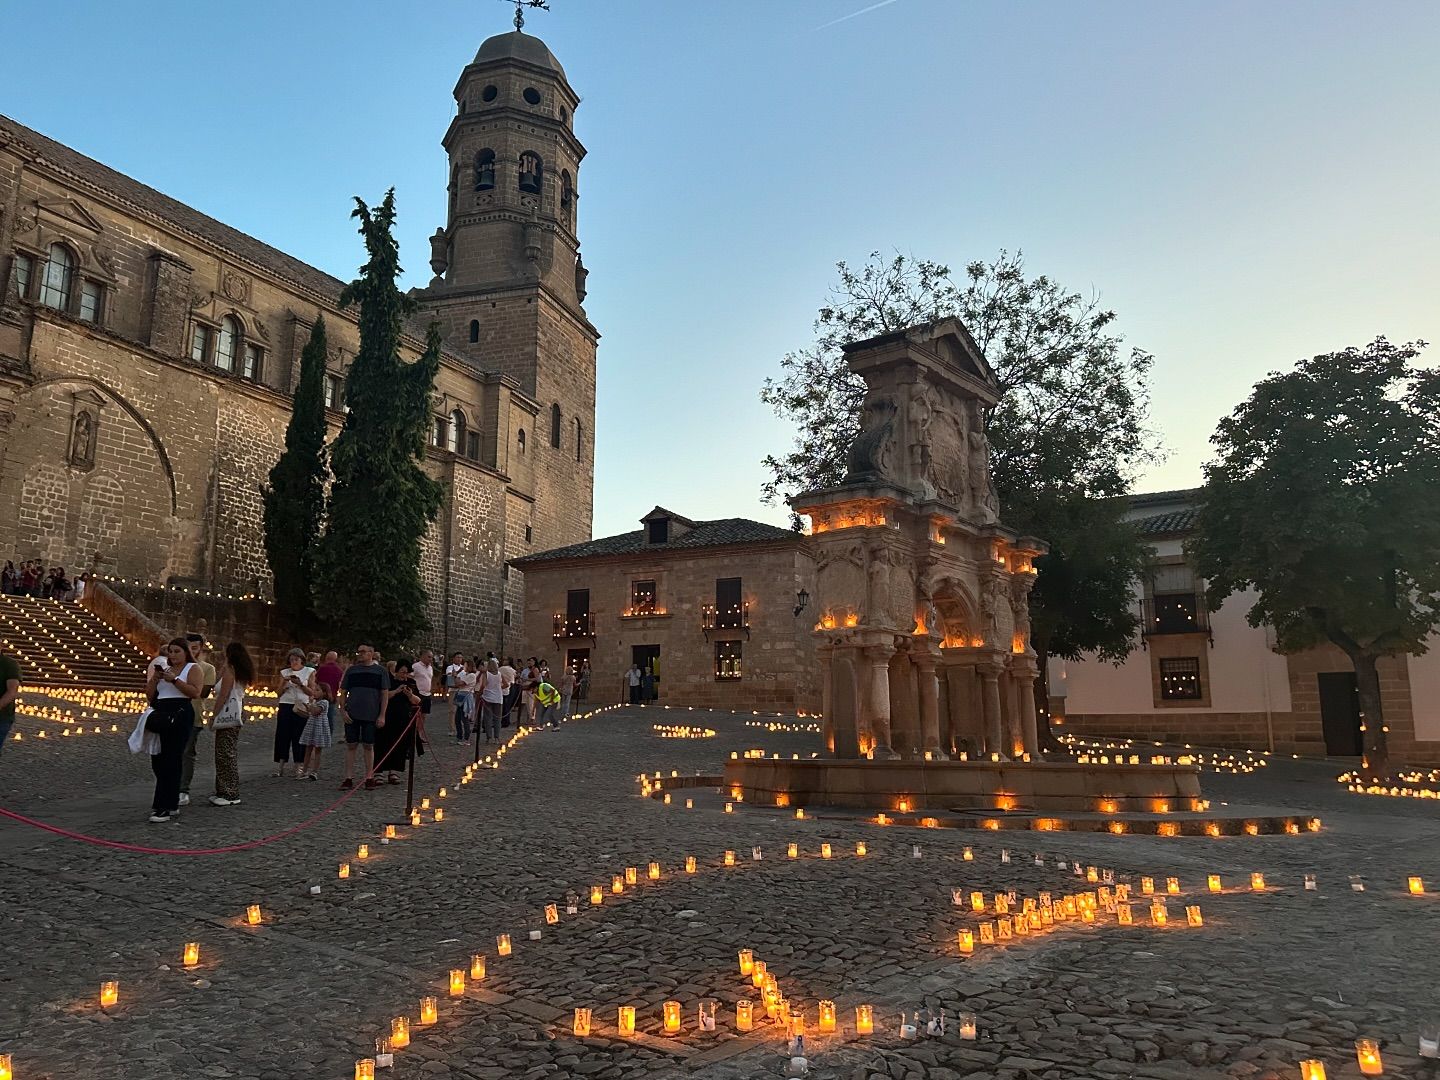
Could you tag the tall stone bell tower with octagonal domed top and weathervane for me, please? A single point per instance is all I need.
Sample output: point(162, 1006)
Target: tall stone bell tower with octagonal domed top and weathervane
point(509, 284)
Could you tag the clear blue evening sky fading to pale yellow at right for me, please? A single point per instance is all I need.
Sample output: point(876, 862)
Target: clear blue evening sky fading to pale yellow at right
point(1246, 184)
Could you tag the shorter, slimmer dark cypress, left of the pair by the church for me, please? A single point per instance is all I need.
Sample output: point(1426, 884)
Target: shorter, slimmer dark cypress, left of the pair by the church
point(294, 499)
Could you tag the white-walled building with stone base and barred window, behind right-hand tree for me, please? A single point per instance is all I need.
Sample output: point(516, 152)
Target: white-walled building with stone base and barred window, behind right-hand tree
point(1209, 678)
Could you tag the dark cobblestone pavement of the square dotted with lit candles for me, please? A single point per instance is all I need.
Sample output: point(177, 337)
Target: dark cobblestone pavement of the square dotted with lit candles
point(1271, 978)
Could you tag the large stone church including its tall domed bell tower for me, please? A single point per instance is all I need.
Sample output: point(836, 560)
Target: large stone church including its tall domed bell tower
point(149, 355)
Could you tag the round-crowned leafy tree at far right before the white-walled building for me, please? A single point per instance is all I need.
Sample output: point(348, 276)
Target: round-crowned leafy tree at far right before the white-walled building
point(1324, 502)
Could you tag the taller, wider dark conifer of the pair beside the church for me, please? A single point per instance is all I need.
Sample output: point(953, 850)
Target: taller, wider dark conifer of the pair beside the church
point(382, 502)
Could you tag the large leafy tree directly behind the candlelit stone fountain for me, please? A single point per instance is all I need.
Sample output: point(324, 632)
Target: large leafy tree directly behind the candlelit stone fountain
point(1066, 438)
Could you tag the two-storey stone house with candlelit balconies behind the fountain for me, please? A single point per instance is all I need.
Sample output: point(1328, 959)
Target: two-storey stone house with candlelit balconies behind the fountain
point(716, 613)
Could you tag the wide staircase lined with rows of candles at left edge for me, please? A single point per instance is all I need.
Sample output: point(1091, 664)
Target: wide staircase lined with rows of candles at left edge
point(61, 644)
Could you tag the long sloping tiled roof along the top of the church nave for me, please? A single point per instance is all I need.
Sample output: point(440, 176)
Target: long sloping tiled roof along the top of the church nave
point(186, 218)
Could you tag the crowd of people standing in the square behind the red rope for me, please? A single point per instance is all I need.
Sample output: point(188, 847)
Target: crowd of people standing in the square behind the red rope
point(378, 708)
